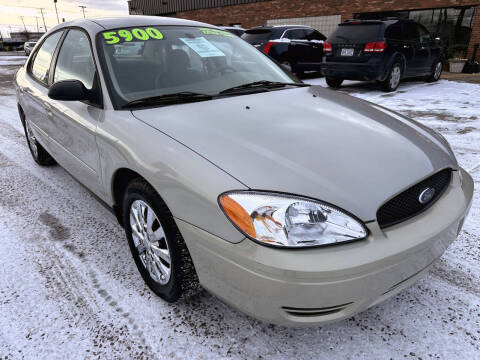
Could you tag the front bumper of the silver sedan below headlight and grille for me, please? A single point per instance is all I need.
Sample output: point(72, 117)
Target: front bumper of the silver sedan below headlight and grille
point(312, 286)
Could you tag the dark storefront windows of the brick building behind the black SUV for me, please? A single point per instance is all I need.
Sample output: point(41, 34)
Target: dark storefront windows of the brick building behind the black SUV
point(452, 25)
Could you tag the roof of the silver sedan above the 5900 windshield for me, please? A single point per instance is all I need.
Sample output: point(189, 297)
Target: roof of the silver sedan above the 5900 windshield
point(128, 21)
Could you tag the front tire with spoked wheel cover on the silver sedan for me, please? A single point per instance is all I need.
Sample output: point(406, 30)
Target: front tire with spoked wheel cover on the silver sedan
point(179, 275)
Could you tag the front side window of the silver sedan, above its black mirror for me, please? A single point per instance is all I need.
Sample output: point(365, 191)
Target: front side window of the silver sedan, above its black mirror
point(75, 60)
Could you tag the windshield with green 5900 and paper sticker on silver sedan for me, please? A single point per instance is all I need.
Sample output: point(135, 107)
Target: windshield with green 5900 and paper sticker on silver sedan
point(152, 61)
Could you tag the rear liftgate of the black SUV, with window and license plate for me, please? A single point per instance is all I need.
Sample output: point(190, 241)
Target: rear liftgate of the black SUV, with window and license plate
point(349, 41)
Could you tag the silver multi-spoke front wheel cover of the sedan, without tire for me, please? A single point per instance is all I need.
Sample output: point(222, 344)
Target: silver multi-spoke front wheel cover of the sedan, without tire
point(150, 242)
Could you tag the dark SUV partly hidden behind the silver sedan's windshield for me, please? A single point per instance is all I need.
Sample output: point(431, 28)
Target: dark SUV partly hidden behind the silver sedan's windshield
point(297, 48)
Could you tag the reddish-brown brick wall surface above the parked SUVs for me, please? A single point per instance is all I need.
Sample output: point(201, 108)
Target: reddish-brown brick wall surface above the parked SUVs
point(259, 13)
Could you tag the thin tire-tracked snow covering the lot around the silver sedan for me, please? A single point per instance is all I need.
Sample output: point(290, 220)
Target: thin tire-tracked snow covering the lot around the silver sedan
point(69, 288)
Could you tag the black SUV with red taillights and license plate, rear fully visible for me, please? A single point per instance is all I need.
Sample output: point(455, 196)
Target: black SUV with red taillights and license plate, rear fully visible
point(382, 50)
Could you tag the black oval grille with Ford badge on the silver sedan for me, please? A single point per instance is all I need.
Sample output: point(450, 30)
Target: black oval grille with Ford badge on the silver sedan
point(407, 204)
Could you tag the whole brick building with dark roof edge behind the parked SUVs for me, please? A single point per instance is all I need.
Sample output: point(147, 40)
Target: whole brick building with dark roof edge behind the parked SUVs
point(456, 22)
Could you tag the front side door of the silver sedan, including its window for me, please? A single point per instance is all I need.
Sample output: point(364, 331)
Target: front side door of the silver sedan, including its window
point(73, 124)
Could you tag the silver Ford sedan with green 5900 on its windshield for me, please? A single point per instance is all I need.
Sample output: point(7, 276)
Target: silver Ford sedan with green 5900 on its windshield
point(294, 203)
